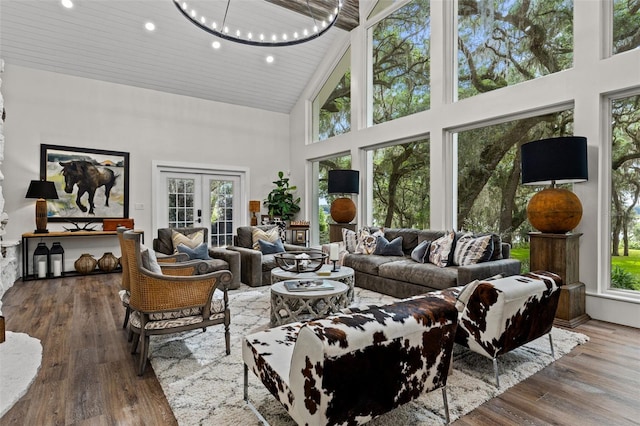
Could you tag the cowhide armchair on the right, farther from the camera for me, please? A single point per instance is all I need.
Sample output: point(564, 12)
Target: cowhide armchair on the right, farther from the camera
point(497, 316)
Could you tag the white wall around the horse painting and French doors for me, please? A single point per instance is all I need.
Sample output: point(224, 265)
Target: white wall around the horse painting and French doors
point(45, 107)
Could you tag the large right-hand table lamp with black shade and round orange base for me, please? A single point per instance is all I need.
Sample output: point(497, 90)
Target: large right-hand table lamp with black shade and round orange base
point(554, 161)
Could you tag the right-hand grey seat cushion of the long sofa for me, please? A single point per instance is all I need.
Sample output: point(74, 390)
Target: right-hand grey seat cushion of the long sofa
point(425, 274)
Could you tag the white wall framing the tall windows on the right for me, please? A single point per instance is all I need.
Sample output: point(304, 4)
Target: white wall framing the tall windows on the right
point(585, 87)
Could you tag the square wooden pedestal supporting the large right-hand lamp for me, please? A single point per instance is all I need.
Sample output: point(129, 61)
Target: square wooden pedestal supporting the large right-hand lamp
point(560, 253)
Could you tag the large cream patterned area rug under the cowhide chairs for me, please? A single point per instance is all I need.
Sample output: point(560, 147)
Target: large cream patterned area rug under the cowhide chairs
point(204, 387)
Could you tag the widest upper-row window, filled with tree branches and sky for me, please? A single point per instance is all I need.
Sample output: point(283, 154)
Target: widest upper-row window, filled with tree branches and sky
point(502, 43)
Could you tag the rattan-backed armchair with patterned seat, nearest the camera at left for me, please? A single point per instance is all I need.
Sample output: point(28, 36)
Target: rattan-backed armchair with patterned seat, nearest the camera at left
point(162, 304)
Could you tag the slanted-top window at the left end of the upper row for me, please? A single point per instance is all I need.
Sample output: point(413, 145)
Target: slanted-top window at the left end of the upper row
point(332, 106)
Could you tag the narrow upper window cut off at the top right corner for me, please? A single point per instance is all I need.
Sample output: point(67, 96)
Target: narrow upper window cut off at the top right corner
point(626, 25)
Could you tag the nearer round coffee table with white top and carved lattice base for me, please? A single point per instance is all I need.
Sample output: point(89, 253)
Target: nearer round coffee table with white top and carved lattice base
point(290, 306)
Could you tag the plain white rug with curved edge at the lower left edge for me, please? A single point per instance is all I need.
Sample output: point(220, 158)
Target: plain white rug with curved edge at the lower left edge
point(20, 359)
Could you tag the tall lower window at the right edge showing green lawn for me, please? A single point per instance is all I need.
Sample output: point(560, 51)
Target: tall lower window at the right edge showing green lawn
point(625, 193)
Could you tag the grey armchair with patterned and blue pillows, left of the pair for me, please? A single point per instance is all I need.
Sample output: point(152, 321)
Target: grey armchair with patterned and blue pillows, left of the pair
point(221, 258)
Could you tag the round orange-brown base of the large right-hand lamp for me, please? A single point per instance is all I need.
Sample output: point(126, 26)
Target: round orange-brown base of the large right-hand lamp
point(554, 210)
